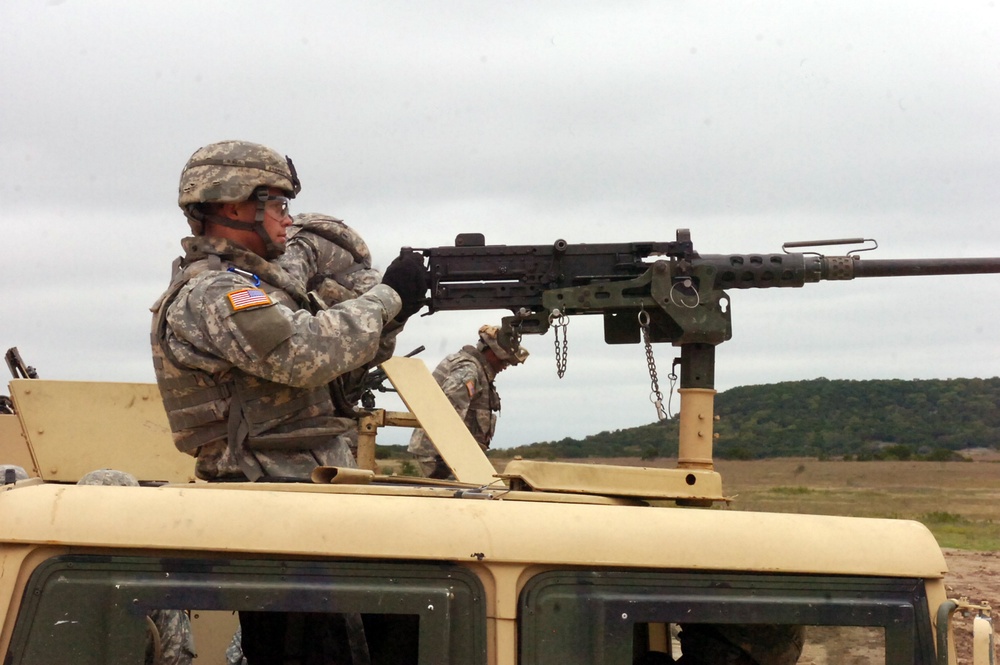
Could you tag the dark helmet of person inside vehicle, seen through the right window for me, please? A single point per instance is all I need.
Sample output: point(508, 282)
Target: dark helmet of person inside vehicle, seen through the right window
point(764, 644)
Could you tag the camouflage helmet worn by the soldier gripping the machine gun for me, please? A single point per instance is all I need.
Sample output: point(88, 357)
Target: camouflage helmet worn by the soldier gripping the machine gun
point(229, 172)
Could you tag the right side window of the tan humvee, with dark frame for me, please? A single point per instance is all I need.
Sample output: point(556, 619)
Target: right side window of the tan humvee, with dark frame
point(649, 618)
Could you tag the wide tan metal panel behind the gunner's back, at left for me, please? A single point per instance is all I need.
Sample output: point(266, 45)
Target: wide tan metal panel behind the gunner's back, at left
point(74, 427)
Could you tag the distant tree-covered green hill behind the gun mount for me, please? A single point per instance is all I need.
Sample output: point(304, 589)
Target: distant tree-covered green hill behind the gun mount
point(821, 418)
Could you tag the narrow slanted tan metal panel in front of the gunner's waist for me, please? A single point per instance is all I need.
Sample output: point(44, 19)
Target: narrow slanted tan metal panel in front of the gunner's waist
point(423, 397)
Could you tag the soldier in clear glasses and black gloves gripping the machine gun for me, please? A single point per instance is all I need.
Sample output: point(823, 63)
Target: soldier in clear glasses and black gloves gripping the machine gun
point(241, 360)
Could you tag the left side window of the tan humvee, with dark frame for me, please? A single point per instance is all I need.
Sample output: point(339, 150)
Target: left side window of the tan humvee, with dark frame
point(89, 609)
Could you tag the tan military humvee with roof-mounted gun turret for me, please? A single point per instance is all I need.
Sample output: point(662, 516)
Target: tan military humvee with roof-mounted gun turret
point(540, 564)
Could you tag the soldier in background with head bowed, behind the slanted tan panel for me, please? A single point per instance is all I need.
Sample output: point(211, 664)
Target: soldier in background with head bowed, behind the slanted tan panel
point(467, 378)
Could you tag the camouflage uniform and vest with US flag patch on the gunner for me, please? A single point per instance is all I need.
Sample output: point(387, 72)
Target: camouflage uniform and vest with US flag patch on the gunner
point(245, 387)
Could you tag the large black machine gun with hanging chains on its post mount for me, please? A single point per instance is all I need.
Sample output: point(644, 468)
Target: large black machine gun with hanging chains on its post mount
point(647, 291)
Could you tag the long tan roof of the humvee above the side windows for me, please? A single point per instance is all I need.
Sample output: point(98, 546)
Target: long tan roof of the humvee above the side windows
point(289, 521)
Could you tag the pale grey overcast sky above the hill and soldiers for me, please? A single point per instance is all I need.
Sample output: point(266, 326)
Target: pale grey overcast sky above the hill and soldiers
point(751, 123)
